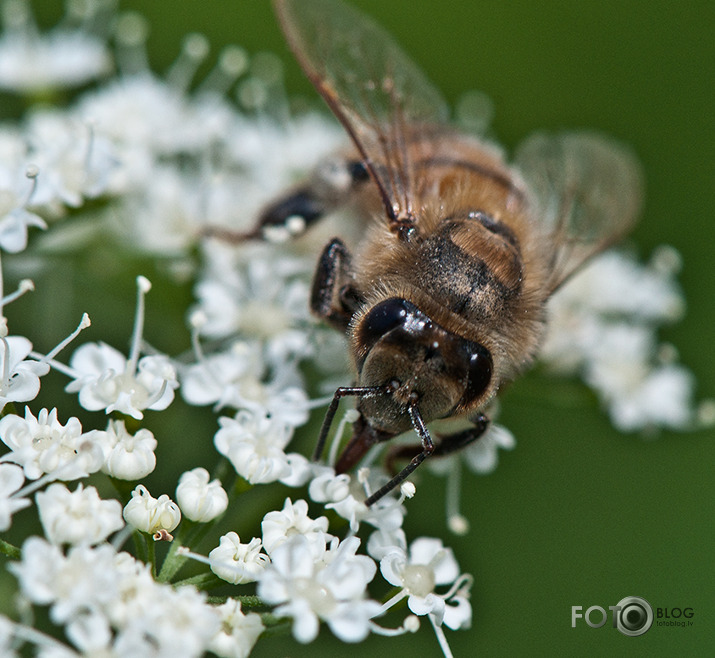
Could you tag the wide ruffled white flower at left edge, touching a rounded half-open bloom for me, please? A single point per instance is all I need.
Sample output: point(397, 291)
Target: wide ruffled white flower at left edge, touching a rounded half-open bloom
point(43, 445)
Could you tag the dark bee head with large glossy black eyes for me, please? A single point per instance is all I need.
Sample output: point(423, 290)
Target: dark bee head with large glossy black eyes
point(418, 362)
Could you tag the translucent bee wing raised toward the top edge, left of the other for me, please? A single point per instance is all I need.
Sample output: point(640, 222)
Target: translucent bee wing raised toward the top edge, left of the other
point(379, 95)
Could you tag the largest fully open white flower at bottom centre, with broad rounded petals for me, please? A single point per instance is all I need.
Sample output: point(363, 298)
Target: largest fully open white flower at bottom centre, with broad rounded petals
point(330, 588)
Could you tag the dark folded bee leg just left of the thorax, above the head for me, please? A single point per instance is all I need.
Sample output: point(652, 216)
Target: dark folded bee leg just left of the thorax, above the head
point(334, 297)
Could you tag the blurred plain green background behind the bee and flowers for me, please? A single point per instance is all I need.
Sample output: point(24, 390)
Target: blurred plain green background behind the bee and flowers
point(578, 514)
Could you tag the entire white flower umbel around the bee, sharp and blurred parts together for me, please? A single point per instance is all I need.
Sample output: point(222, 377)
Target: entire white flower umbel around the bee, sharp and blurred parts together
point(160, 165)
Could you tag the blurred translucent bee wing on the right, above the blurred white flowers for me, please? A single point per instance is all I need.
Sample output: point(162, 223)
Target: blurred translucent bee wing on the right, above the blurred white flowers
point(587, 191)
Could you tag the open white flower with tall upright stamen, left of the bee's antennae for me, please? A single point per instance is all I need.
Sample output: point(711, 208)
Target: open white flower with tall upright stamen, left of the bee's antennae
point(107, 380)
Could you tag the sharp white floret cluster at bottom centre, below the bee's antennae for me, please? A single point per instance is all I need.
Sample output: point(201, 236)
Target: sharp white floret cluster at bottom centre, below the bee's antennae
point(312, 576)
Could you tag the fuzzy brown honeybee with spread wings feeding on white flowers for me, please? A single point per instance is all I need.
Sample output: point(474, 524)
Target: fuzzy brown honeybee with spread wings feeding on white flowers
point(444, 299)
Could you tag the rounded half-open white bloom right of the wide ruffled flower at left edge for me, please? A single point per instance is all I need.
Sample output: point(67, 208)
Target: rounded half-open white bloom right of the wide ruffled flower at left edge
point(128, 456)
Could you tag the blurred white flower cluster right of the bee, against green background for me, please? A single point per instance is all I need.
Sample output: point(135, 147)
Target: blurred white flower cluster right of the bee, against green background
point(602, 326)
